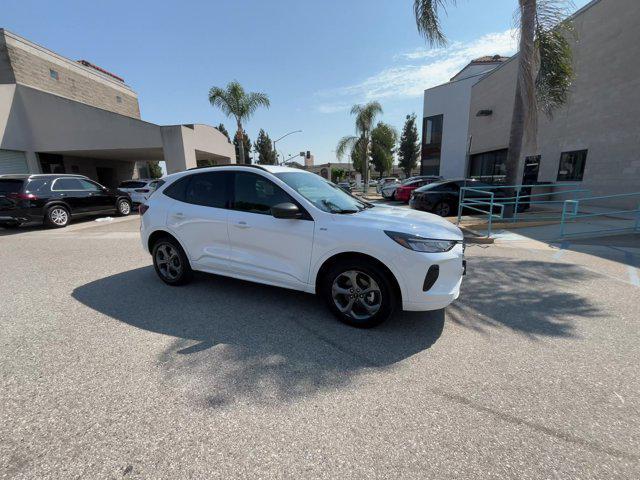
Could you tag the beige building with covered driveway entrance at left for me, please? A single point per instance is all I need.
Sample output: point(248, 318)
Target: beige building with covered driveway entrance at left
point(60, 115)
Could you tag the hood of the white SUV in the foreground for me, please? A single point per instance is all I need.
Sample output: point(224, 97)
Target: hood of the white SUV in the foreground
point(410, 221)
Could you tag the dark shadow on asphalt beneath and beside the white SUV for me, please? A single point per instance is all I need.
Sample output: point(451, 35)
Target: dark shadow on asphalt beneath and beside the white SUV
point(239, 340)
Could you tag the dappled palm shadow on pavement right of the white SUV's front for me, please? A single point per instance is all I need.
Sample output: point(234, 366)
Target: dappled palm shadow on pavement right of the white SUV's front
point(530, 297)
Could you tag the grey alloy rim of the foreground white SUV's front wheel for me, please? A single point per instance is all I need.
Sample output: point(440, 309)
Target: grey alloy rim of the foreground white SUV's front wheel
point(356, 295)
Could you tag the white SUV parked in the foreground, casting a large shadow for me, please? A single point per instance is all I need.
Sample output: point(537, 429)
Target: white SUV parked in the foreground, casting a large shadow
point(293, 229)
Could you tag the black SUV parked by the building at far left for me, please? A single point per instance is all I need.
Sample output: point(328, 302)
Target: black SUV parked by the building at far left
point(55, 199)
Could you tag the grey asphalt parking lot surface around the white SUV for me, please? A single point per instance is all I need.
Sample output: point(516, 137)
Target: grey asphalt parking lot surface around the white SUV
point(106, 372)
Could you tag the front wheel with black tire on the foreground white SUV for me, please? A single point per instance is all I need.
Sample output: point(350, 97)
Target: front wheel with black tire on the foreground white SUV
point(340, 272)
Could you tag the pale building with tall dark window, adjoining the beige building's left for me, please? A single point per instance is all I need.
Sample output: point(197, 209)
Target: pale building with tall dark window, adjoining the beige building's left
point(446, 109)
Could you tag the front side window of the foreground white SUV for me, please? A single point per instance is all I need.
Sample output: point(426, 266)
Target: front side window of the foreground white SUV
point(256, 194)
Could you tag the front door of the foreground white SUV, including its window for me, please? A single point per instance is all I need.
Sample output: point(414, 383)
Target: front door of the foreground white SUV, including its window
point(265, 248)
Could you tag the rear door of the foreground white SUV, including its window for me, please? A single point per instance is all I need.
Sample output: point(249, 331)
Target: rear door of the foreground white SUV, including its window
point(199, 218)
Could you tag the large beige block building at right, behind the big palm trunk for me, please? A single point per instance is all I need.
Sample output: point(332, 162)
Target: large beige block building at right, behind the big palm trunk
point(595, 138)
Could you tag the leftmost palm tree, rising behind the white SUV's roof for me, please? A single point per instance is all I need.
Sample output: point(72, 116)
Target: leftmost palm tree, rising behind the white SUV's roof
point(235, 102)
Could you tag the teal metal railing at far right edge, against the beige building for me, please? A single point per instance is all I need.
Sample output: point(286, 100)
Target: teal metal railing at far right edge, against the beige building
point(571, 214)
